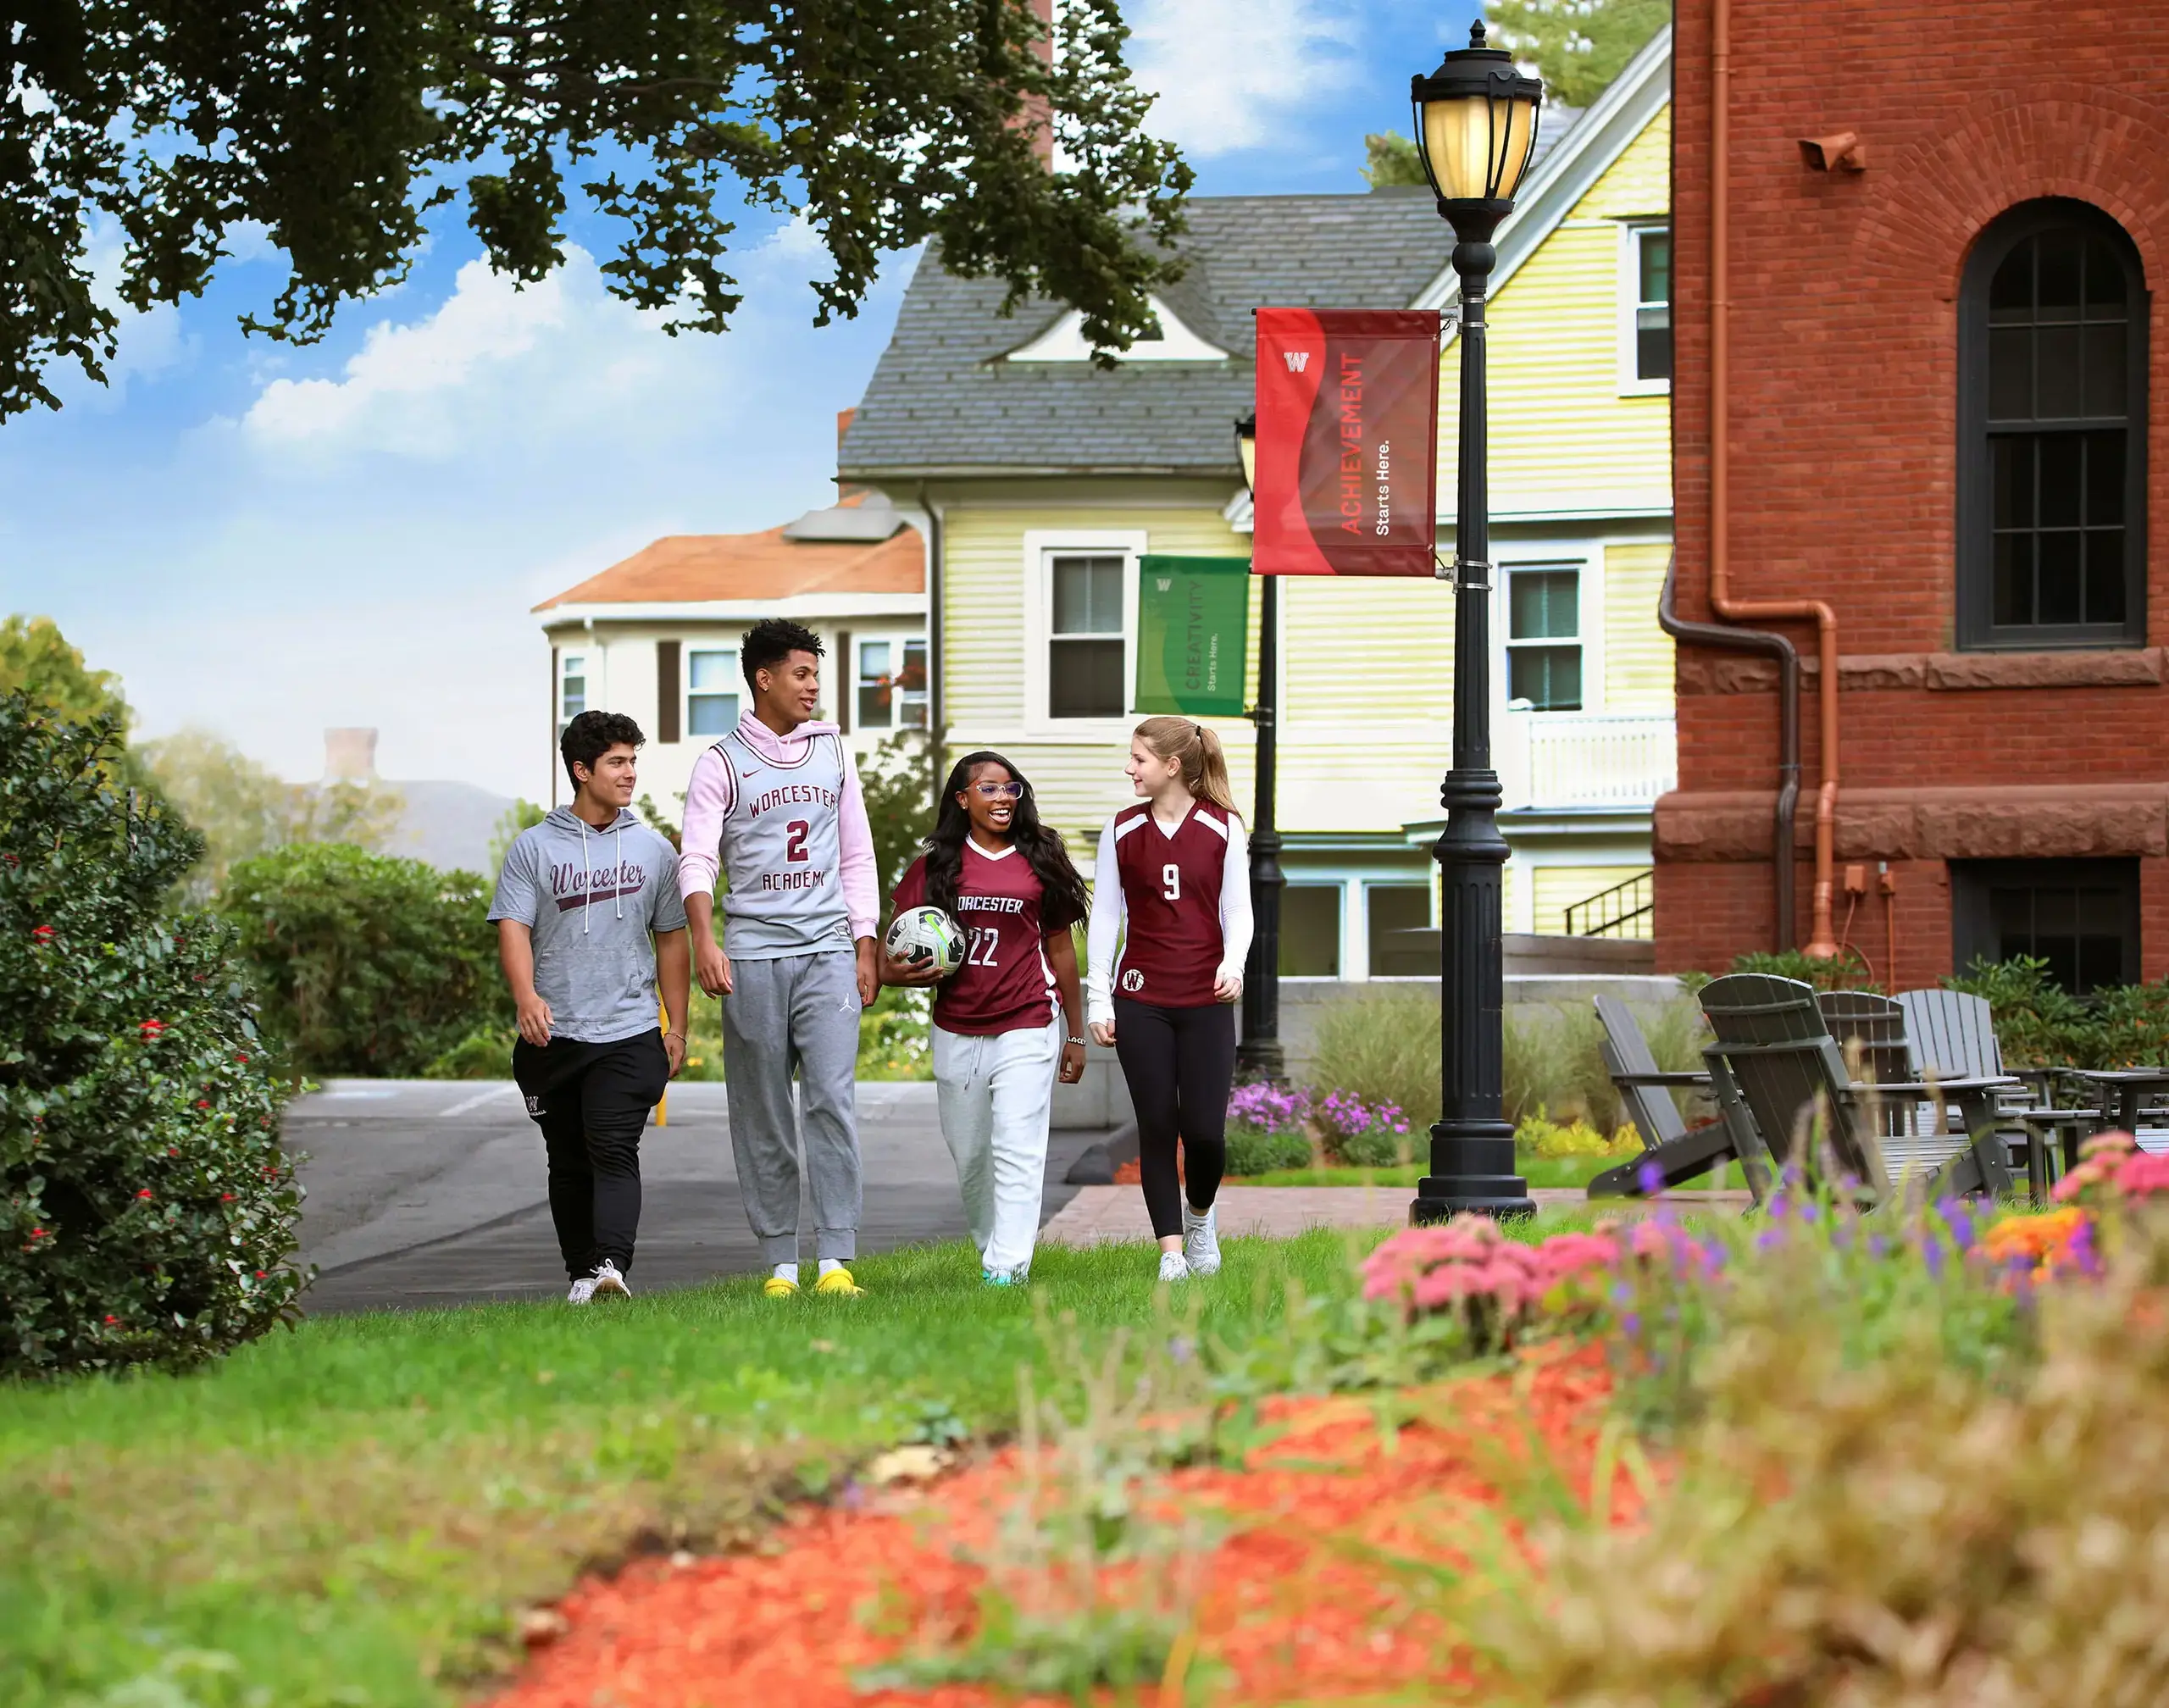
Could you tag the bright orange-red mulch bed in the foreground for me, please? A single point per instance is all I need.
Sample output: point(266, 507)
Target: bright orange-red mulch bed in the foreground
point(1292, 1612)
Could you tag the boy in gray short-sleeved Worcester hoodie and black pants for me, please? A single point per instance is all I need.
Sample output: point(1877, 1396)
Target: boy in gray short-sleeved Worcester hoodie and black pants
point(589, 920)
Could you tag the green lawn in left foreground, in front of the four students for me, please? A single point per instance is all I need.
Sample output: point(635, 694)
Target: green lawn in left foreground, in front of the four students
point(357, 1512)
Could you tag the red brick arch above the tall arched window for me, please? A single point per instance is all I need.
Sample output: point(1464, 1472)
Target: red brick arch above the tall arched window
point(2096, 146)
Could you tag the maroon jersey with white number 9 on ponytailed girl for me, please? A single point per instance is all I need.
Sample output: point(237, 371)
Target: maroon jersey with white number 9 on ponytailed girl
point(1170, 885)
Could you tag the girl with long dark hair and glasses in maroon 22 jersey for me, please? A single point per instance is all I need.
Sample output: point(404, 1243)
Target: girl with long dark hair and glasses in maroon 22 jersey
point(1012, 1009)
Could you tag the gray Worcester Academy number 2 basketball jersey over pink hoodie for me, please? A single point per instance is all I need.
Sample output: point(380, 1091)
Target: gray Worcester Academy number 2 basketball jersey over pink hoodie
point(782, 851)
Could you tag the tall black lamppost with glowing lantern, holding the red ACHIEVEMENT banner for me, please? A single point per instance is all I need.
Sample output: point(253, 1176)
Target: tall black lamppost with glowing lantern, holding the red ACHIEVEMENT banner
point(1476, 129)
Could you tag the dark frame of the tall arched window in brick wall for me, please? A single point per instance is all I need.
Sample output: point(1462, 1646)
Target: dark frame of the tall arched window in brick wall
point(1977, 630)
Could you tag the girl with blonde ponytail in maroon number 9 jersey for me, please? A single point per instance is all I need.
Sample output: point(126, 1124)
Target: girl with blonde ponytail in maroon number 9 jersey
point(1175, 881)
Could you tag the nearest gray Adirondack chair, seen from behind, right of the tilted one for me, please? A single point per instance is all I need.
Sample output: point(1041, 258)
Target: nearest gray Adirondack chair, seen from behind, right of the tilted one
point(1777, 1057)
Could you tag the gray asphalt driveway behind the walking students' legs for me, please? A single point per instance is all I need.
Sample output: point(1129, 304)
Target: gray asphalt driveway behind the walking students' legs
point(433, 1193)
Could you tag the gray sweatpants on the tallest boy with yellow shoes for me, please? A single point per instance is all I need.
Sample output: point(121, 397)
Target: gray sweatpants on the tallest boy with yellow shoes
point(795, 1013)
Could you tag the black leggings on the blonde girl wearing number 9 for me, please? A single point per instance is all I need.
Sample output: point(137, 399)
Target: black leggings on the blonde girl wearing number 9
point(1181, 1070)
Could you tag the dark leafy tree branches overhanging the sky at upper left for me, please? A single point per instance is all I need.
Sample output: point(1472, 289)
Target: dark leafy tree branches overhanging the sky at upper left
point(339, 125)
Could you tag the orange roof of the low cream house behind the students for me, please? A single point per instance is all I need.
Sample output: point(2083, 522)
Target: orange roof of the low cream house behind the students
point(752, 567)
